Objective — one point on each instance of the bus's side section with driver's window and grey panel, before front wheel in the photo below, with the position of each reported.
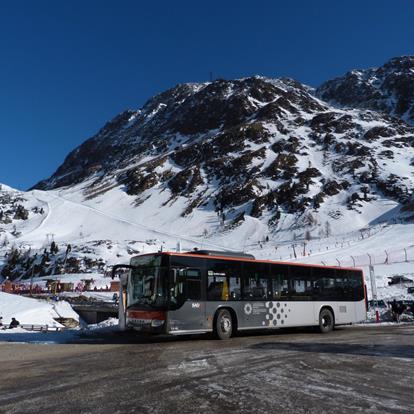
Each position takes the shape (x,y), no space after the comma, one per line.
(187,310)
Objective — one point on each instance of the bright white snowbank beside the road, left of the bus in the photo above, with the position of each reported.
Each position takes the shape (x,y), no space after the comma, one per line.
(30,311)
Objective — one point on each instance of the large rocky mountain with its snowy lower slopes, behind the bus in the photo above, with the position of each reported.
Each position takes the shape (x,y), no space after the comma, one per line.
(252,164)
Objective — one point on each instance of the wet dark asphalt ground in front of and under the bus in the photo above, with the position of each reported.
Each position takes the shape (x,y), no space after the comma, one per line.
(353,369)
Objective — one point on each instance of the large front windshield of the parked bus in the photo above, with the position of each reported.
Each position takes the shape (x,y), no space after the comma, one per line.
(147,282)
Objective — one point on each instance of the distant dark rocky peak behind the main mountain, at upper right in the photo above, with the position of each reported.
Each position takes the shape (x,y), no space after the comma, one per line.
(389,88)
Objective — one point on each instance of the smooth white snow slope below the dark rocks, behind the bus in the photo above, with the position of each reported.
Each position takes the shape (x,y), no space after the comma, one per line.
(112,222)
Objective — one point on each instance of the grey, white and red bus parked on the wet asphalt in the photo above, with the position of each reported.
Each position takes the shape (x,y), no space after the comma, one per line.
(220,292)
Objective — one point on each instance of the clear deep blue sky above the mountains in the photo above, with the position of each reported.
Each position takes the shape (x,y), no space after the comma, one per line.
(67,67)
